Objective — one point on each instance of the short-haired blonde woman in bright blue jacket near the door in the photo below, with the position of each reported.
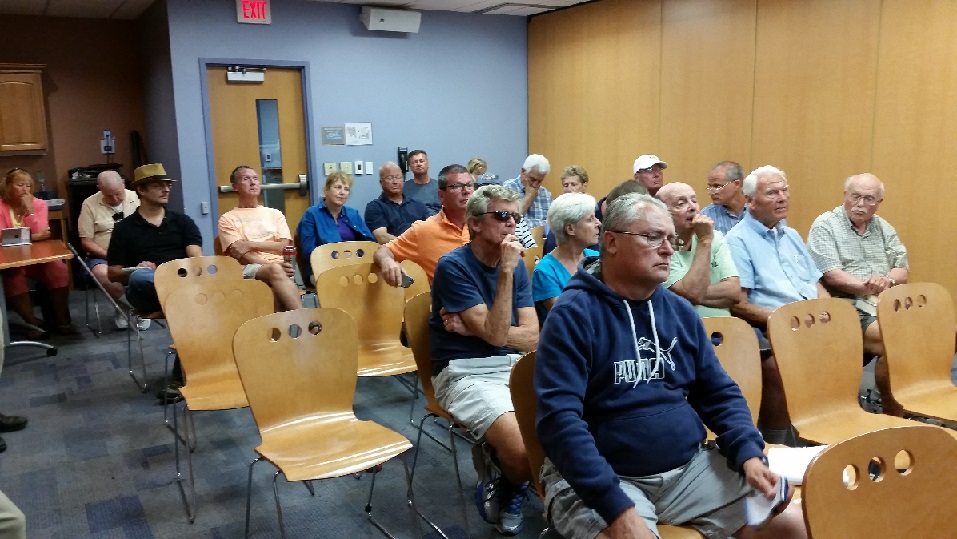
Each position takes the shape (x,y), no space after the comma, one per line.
(330,221)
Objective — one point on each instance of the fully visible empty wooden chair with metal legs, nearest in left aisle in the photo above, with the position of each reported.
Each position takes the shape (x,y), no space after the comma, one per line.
(299,372)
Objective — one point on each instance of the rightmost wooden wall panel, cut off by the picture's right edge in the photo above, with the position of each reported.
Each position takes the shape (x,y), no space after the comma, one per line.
(916,132)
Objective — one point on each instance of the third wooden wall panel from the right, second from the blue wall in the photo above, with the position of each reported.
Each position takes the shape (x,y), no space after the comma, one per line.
(707,76)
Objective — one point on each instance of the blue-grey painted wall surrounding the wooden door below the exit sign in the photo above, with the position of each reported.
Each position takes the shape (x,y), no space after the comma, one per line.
(457,89)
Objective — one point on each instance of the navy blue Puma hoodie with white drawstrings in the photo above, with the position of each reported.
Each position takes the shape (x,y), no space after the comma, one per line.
(607,407)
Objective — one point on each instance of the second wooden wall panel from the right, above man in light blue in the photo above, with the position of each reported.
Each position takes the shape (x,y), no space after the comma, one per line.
(814,87)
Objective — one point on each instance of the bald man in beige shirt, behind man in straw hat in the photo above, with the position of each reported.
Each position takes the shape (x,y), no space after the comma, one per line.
(98,215)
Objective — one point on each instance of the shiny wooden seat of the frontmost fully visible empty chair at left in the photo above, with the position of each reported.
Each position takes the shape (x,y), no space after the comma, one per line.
(348,446)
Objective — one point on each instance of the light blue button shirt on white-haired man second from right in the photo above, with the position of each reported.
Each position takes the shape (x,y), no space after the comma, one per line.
(773,264)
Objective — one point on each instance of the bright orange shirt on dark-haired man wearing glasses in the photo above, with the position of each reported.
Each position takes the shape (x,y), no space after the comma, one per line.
(426,241)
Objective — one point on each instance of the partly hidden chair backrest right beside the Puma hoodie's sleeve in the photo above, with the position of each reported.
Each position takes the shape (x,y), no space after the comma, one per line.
(737,349)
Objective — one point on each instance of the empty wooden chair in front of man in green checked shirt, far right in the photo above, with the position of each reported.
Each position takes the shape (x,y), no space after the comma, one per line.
(917,327)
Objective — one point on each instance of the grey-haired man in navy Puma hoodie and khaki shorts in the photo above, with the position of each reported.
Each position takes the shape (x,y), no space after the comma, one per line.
(623,425)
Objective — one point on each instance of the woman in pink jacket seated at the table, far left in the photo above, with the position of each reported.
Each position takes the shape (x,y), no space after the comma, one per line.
(18,208)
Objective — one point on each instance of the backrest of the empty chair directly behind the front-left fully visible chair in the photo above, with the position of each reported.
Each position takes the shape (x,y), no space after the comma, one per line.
(203,317)
